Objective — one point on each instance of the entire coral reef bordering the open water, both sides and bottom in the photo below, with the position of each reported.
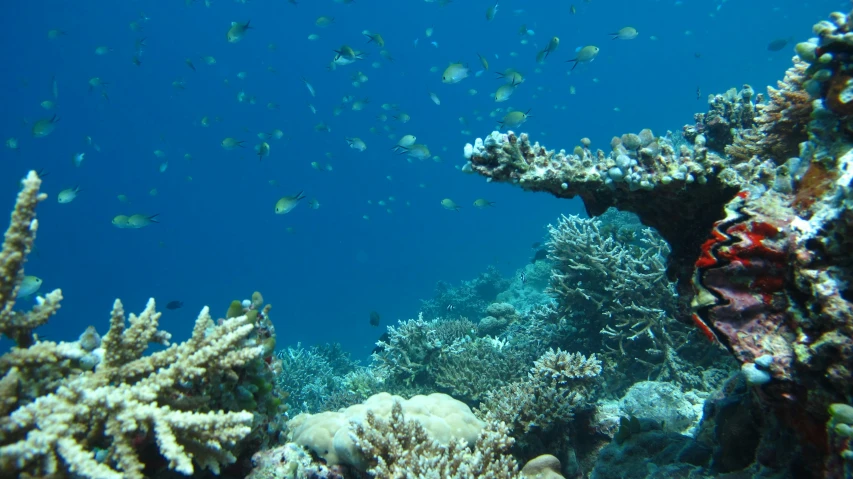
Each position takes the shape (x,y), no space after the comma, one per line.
(705,328)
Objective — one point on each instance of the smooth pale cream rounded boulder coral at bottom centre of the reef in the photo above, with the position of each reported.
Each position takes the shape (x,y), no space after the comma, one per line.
(328,433)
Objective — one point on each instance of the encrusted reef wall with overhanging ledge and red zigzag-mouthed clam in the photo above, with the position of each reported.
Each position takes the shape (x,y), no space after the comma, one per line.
(763,196)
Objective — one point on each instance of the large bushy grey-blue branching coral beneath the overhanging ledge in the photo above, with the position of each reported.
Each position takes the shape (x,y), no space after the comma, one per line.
(619,289)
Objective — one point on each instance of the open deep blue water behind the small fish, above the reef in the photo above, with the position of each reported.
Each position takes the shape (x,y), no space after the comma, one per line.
(218,238)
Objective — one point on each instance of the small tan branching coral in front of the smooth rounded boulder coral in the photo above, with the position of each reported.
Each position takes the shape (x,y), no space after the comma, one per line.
(401,447)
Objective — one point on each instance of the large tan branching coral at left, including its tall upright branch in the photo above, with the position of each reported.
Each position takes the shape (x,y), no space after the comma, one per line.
(91,423)
